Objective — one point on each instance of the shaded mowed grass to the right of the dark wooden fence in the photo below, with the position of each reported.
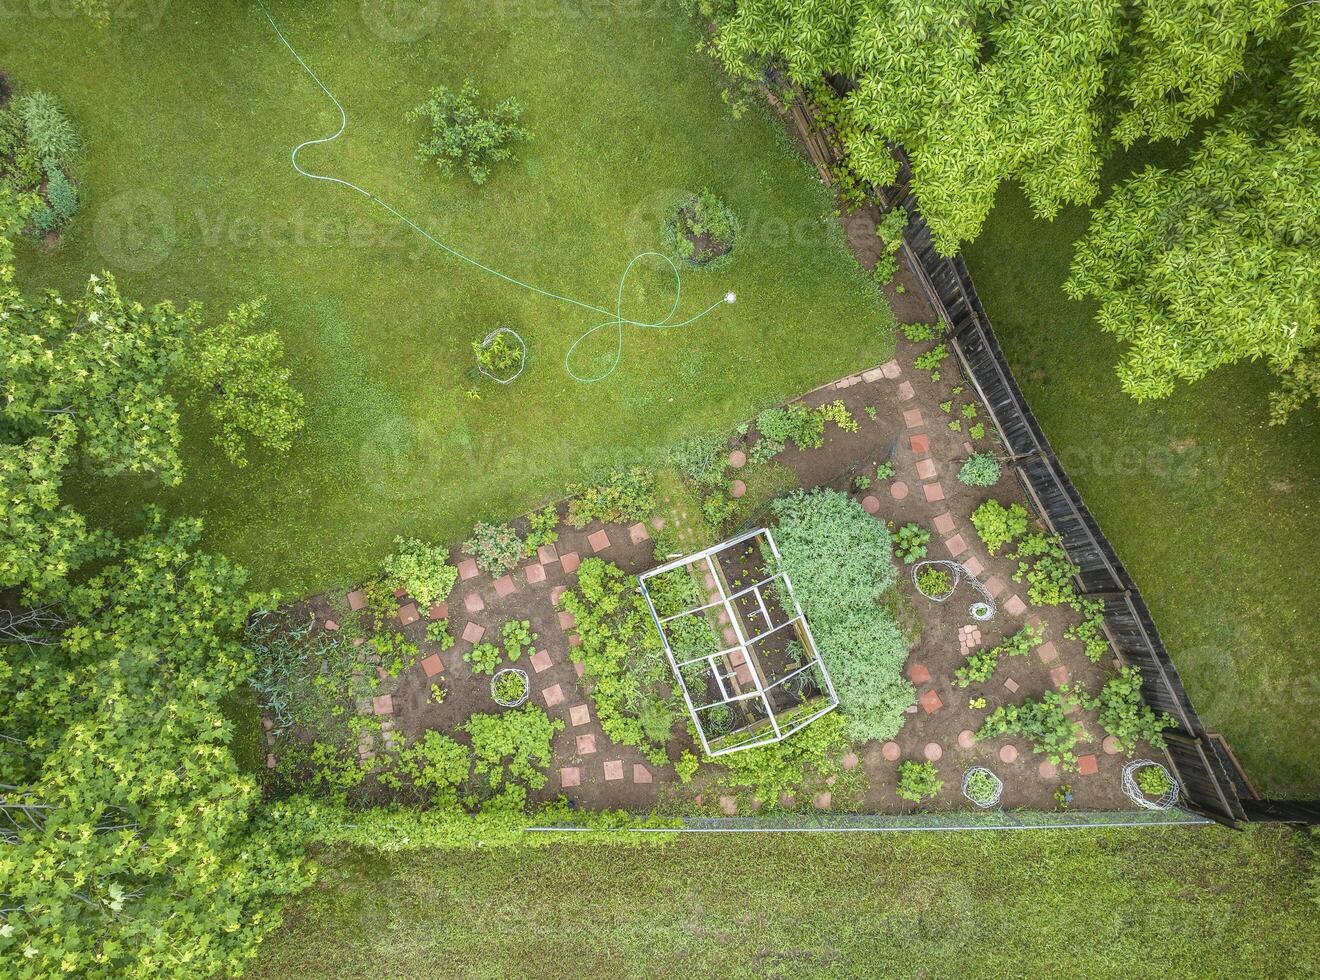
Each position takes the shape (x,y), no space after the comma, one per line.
(1214,512)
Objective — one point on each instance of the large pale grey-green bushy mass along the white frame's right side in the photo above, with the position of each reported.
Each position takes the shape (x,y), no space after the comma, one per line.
(840,561)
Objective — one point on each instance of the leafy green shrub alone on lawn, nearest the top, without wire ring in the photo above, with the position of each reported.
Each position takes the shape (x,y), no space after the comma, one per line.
(463,134)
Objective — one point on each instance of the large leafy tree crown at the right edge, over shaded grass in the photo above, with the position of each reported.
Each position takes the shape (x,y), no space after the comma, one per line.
(1219,261)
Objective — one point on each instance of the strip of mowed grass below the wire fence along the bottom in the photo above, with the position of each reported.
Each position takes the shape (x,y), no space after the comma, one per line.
(1087,904)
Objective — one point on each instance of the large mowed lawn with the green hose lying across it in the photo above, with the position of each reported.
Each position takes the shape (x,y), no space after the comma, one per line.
(189,125)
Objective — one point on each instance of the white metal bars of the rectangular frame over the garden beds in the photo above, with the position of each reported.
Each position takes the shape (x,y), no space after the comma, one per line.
(757,689)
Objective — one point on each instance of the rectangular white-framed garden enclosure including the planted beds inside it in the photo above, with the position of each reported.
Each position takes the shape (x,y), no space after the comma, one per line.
(740,644)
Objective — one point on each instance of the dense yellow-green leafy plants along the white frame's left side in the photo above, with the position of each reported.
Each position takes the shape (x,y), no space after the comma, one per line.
(621,653)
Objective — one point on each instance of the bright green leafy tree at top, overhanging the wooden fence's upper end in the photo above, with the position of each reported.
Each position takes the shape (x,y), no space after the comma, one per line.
(980,92)
